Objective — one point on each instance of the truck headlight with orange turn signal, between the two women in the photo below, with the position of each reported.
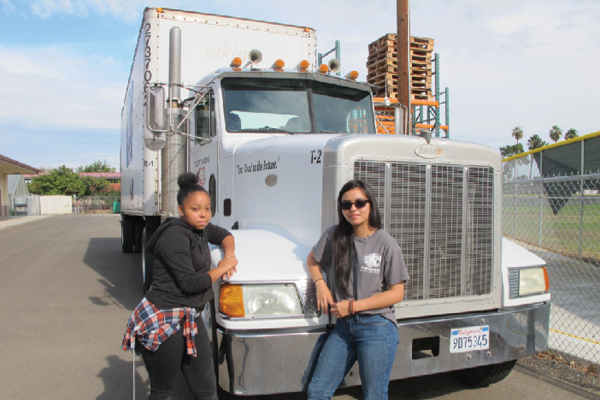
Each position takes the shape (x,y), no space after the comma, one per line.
(256,301)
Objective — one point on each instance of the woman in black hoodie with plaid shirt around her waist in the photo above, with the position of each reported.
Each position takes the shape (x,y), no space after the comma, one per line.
(164,326)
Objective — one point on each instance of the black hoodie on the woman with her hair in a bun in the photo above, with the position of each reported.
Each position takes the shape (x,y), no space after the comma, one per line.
(181,264)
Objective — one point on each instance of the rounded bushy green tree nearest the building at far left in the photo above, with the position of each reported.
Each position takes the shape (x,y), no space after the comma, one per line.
(60,181)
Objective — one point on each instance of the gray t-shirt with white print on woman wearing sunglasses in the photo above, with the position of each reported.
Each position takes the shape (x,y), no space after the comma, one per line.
(378,265)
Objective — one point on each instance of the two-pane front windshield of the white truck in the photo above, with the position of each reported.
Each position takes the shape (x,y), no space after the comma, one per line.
(295,106)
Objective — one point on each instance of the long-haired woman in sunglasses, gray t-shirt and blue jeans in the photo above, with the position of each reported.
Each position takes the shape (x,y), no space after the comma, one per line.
(367,272)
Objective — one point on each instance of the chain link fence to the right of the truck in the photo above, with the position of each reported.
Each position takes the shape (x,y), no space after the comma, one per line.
(551,206)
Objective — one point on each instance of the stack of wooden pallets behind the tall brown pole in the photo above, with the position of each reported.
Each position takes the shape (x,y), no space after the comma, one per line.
(382,65)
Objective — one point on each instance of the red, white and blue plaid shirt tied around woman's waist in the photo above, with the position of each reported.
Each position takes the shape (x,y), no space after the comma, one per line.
(152,326)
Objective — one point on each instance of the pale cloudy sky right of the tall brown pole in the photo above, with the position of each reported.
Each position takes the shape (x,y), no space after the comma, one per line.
(529,64)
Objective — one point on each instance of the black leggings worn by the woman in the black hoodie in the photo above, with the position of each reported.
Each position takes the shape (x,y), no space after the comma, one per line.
(163,366)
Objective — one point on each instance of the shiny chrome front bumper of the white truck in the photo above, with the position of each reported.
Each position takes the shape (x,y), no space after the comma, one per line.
(267,362)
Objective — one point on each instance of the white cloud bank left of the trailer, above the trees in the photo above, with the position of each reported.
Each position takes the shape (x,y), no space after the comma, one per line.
(56,87)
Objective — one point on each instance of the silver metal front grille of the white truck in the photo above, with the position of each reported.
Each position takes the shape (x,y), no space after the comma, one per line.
(442,218)
